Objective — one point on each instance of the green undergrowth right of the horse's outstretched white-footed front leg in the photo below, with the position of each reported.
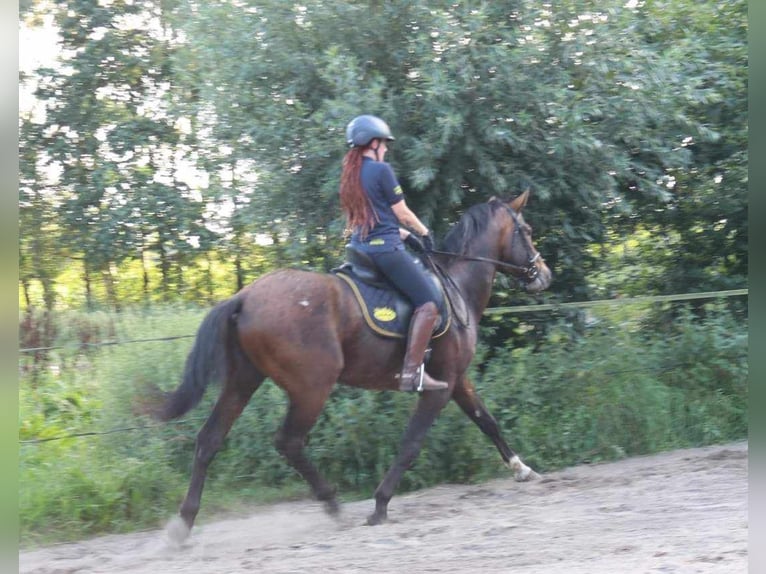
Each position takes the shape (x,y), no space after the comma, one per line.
(620,390)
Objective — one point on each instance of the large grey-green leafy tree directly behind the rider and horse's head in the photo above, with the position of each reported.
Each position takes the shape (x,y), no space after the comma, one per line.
(568,100)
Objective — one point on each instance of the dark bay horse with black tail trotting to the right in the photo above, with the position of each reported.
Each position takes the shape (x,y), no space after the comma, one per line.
(305,331)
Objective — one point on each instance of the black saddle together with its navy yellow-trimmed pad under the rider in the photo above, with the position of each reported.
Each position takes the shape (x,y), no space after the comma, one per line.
(386,310)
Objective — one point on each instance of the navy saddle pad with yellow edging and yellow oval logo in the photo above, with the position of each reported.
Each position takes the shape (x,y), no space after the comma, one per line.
(386,311)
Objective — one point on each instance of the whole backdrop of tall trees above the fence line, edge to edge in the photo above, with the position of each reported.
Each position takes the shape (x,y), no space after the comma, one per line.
(164,151)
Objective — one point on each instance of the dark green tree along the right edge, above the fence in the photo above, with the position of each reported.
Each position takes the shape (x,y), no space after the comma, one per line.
(706,221)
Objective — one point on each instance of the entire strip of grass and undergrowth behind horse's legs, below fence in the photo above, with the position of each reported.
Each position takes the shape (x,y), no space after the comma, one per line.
(617,389)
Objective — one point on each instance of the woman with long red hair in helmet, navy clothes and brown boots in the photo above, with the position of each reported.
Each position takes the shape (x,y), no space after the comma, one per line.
(373,203)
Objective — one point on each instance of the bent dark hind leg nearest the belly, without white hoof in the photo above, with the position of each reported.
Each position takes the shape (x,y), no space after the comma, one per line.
(305,407)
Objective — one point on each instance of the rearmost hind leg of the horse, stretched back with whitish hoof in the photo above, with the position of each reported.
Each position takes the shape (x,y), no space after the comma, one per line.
(232,400)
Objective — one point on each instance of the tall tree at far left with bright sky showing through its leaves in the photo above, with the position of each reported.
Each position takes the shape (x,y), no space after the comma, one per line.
(108,130)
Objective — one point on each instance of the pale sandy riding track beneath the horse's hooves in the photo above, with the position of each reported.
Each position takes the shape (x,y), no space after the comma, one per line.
(677,512)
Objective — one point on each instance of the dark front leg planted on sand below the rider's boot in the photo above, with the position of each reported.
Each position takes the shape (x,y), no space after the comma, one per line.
(429,406)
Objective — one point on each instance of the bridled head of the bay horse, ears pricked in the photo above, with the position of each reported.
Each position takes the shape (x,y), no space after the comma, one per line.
(517,250)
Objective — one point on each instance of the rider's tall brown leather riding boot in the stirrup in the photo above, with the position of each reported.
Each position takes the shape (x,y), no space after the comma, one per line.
(413,376)
